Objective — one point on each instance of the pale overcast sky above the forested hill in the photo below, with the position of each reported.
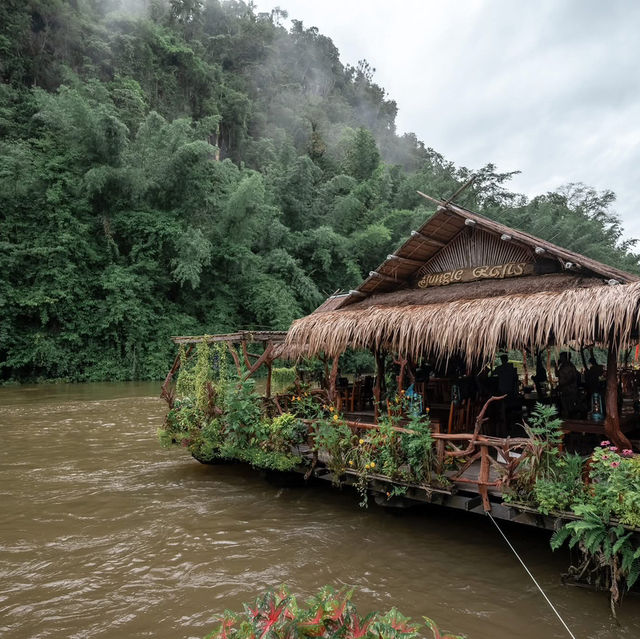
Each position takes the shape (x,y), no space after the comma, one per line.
(547,87)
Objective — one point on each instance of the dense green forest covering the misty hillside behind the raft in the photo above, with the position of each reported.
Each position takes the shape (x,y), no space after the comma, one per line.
(196,166)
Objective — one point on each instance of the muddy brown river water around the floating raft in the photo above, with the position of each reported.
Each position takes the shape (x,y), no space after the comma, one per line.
(105,534)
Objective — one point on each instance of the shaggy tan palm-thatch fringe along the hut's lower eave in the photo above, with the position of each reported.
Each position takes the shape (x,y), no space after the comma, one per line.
(475,327)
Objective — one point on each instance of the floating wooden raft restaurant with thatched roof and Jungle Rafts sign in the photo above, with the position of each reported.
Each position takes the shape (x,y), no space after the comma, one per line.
(461,290)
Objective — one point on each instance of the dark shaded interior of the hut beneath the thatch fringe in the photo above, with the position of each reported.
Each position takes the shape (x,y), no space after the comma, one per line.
(453,392)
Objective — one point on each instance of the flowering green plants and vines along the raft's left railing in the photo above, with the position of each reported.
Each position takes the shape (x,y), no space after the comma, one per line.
(217,415)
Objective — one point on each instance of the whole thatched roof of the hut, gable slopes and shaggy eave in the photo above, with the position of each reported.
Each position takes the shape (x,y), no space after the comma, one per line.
(583,302)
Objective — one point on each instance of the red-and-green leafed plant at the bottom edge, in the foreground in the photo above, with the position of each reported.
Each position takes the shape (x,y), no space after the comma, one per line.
(328,615)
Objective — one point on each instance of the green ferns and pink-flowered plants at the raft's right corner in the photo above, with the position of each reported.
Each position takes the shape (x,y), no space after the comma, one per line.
(598,498)
